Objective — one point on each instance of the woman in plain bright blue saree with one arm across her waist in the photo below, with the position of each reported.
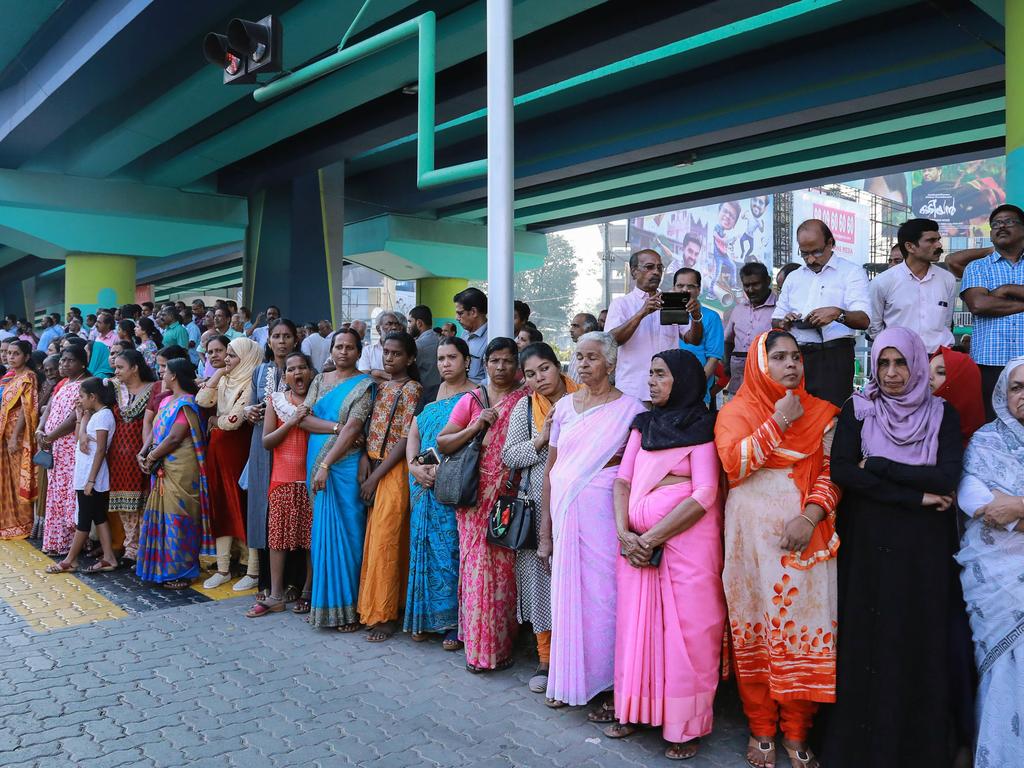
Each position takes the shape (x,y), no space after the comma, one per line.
(340,403)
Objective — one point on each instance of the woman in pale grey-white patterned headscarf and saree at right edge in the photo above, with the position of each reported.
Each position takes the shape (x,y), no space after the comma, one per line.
(992,492)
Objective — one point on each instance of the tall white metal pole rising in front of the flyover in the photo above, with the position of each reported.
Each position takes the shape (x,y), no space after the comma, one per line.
(500,168)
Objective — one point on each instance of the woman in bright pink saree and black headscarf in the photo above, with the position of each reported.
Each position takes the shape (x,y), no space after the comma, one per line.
(671,607)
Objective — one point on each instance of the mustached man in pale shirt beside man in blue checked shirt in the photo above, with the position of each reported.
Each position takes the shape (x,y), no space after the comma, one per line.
(916,293)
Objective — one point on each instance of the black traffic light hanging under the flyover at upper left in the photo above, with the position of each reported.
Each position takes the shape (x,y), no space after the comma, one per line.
(249,50)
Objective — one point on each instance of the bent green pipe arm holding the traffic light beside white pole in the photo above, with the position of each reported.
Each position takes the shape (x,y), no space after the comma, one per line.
(425,28)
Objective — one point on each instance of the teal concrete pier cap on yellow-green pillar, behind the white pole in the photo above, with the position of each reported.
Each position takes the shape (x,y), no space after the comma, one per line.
(411,248)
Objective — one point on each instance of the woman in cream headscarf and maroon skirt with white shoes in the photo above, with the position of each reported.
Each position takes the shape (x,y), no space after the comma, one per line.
(230,391)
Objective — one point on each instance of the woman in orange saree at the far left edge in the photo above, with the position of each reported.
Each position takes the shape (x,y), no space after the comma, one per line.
(19,416)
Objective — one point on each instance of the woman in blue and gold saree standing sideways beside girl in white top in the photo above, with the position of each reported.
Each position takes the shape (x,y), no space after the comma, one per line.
(176,526)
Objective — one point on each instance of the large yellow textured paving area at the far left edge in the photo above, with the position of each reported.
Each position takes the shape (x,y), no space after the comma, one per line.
(49,603)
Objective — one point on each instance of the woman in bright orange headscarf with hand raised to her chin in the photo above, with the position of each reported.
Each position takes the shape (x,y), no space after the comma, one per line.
(774,440)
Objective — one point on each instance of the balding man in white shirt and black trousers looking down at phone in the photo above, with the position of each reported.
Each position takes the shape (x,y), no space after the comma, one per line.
(824,304)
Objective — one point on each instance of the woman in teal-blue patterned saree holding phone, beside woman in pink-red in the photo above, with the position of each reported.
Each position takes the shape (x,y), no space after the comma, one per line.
(433,599)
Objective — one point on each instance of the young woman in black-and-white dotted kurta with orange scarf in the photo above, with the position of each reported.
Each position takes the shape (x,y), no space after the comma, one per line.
(527,452)
